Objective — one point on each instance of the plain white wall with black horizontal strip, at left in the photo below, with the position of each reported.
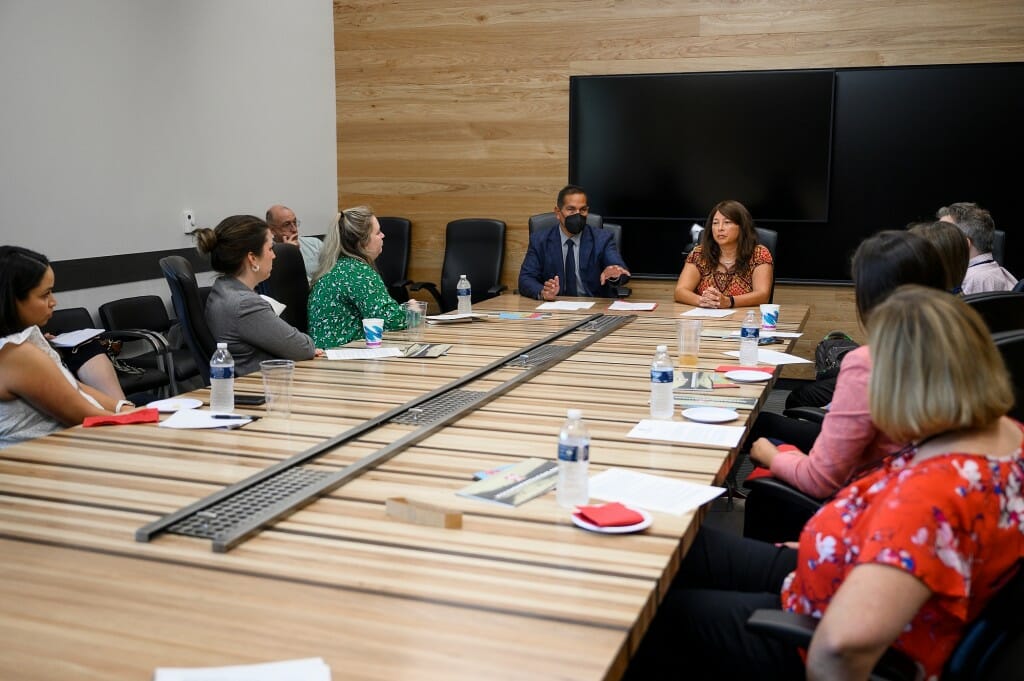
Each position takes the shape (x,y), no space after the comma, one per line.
(118,115)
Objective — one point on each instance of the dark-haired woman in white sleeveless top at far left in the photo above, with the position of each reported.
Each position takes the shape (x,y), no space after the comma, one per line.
(38,396)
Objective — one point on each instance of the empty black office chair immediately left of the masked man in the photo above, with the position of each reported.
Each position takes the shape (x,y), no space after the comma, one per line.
(475,247)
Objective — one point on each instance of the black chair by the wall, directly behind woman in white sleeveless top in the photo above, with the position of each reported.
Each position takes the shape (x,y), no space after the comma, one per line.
(134,378)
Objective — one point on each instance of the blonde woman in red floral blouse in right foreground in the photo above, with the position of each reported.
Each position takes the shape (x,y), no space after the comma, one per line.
(906,556)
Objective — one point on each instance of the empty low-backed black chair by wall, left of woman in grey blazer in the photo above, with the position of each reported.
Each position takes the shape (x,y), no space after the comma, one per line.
(149,314)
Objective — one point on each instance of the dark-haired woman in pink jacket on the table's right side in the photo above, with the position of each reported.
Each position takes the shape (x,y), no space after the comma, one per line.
(849,440)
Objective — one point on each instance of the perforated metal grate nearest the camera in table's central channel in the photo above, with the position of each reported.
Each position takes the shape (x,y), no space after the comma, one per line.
(223,518)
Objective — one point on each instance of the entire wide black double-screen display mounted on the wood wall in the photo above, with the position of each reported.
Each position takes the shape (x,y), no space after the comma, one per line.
(825,157)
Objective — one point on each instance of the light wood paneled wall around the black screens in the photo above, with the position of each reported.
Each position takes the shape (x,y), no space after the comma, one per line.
(460,109)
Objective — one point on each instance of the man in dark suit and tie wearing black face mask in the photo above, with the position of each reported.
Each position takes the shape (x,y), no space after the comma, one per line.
(590,256)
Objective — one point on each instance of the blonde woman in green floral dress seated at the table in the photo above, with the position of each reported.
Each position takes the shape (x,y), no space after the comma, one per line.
(347,286)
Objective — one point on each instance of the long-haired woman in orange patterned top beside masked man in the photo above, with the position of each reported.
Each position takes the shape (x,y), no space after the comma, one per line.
(729,269)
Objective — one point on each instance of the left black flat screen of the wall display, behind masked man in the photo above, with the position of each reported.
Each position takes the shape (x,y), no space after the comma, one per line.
(669,147)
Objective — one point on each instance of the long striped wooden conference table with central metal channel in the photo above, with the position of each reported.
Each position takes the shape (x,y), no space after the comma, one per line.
(516,593)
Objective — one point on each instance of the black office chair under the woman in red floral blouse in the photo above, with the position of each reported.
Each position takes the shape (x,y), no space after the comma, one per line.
(993,647)
